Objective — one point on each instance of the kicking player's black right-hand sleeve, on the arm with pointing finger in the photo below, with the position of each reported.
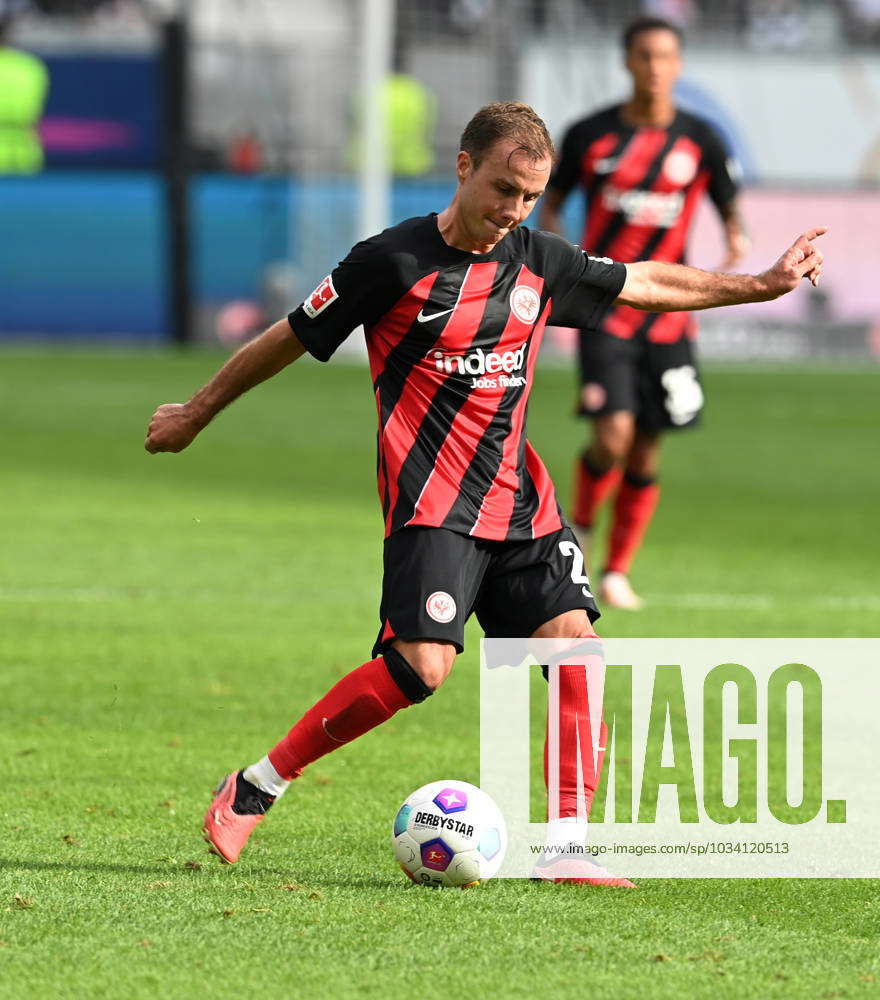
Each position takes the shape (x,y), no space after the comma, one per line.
(582,287)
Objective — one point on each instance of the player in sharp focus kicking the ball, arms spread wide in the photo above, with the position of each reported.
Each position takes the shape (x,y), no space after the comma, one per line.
(454,307)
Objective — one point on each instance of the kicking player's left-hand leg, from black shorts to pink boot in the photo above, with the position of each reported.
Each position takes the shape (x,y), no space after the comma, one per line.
(428,590)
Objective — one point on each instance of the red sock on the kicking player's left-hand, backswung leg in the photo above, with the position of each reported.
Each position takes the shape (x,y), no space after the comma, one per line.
(362,700)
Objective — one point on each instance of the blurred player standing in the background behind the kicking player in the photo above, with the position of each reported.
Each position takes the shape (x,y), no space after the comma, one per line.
(644,167)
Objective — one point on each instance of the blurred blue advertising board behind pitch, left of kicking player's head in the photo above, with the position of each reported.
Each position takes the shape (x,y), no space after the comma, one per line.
(82,253)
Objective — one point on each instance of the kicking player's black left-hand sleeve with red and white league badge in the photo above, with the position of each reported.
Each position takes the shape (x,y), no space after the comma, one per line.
(357,292)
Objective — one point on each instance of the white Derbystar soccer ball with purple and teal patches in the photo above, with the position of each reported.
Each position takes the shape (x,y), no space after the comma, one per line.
(449,833)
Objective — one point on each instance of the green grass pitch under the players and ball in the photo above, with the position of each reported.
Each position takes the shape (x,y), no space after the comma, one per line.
(165,618)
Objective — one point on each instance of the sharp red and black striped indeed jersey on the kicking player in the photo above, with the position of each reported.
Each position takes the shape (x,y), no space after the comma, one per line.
(452,339)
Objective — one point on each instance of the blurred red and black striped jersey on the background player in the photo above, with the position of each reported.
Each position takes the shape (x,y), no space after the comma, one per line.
(642,187)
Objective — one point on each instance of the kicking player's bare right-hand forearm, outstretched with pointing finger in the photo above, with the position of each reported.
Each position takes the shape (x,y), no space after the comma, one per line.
(658,287)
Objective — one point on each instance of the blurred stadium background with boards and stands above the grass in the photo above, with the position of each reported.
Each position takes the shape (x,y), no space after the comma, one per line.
(207,162)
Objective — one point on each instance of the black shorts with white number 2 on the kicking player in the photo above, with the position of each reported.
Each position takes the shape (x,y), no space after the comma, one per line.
(435,579)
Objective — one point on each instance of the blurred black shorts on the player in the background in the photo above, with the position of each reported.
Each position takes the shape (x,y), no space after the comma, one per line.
(659,383)
